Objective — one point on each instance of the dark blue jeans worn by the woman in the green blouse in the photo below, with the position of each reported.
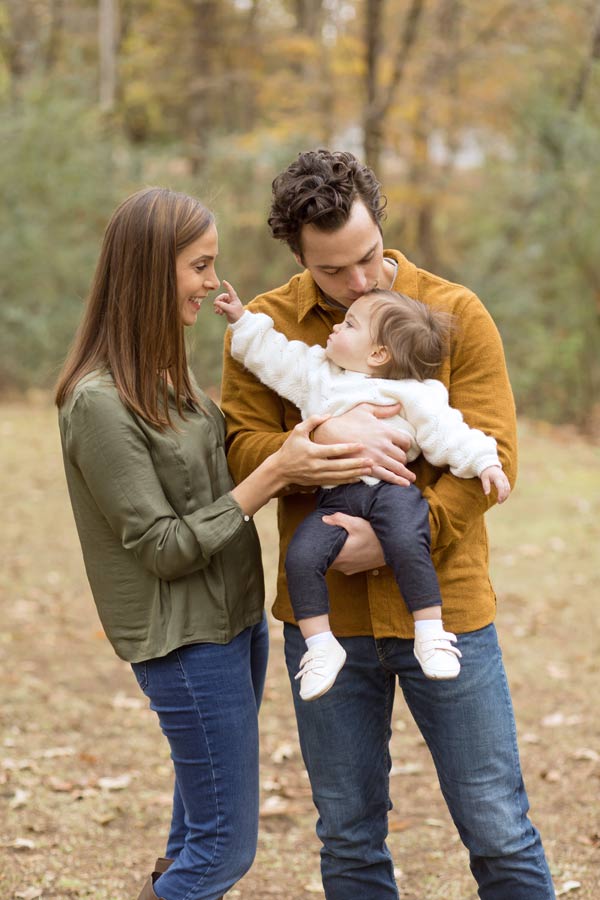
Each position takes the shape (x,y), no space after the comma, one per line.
(206,697)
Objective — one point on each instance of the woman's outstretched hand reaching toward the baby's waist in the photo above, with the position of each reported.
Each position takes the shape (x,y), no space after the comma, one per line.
(305,462)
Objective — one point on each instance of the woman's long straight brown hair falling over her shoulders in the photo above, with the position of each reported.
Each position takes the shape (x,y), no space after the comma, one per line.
(132,323)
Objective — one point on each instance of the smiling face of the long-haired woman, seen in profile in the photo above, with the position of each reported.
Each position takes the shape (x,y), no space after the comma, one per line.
(196,274)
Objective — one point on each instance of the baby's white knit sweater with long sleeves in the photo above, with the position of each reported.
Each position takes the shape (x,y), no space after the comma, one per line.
(317,386)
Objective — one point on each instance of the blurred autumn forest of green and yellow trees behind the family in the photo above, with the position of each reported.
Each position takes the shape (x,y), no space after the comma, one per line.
(480,117)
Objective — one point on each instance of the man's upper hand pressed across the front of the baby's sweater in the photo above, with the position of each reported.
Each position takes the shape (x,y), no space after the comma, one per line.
(380,441)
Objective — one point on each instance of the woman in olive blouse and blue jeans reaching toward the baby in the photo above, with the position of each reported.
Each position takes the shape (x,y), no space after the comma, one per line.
(169,546)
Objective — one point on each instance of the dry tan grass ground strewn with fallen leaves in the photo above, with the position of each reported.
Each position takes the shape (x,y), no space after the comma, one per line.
(85,777)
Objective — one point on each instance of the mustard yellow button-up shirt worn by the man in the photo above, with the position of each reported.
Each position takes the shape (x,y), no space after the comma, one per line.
(476,377)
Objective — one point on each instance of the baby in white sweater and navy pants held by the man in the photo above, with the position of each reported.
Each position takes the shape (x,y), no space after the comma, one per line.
(383,352)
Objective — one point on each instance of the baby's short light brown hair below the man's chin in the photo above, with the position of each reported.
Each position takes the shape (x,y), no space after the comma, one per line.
(416,336)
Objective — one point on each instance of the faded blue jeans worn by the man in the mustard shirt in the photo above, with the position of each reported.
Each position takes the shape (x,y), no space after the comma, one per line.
(469,727)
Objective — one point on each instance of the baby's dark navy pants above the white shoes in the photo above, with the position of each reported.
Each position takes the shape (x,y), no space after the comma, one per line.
(399,516)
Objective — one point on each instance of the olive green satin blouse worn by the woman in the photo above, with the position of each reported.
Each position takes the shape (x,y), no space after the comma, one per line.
(170,556)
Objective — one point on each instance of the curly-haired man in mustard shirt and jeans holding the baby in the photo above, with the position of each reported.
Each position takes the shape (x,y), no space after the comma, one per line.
(328,208)
